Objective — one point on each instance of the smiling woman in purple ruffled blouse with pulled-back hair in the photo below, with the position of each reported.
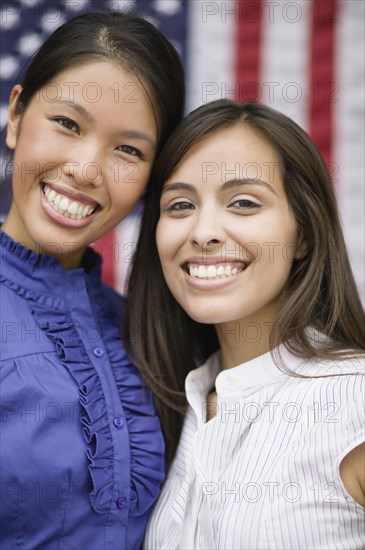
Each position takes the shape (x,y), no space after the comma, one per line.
(82,454)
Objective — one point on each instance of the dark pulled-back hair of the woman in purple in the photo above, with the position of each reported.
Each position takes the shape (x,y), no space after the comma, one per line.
(129,41)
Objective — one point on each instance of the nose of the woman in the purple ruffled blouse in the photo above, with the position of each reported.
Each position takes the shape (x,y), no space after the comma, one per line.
(84,168)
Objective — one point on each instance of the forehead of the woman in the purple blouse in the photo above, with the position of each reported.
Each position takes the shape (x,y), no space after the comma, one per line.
(103,93)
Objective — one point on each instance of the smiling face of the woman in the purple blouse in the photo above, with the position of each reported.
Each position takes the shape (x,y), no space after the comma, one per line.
(83,152)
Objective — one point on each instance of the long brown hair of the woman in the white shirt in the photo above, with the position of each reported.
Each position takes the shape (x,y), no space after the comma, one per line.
(321,293)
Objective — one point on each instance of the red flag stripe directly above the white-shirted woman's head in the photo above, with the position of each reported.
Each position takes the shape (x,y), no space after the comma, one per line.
(248,40)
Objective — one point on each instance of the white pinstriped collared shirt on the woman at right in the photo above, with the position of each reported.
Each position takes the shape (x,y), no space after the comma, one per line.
(264,472)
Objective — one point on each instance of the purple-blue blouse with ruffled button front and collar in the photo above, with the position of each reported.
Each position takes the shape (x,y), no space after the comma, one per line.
(81,449)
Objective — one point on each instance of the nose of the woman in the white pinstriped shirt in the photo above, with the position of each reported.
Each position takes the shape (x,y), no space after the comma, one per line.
(207,231)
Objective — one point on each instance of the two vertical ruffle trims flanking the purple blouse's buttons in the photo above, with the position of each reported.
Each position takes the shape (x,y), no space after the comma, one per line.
(145,439)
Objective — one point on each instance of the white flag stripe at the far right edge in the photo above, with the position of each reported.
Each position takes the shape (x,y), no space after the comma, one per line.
(349,137)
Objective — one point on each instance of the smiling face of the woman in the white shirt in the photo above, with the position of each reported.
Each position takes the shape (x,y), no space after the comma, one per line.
(226,235)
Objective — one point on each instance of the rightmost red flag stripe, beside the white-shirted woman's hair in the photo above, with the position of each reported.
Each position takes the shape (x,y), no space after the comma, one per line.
(323,86)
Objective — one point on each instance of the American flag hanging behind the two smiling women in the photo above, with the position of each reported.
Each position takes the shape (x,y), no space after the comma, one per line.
(304,58)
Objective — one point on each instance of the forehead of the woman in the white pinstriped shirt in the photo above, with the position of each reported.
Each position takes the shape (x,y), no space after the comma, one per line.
(229,153)
